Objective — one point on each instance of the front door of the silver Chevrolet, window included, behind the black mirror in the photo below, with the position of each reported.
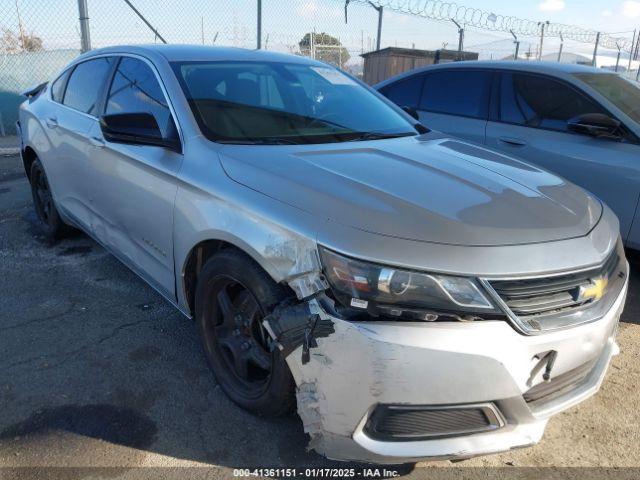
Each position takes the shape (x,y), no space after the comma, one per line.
(134,186)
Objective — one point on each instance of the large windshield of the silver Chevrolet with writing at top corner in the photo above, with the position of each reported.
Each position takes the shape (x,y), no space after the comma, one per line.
(280,103)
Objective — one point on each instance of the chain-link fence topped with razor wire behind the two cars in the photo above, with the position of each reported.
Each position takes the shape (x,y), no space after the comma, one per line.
(38,37)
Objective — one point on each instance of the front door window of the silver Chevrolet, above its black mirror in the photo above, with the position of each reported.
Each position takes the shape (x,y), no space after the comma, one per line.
(135,89)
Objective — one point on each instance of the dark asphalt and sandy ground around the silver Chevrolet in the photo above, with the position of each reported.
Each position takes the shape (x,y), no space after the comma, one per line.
(97,370)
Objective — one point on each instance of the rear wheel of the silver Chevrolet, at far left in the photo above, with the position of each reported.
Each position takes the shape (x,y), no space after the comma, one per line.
(50,221)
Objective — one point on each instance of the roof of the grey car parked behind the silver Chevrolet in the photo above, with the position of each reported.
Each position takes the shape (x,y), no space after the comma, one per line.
(549,68)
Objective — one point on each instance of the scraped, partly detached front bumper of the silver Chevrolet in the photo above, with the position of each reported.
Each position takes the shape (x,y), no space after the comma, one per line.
(445,378)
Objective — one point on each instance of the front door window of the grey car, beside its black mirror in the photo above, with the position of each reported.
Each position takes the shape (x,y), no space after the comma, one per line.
(537,101)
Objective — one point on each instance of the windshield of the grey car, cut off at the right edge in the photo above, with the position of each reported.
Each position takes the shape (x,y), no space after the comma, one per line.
(622,93)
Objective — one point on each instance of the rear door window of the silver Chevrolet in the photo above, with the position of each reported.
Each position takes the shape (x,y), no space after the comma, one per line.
(86,83)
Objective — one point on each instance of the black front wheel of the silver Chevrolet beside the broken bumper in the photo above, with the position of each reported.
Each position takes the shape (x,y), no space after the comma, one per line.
(233,294)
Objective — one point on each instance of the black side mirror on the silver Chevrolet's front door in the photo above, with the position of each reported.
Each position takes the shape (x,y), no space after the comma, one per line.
(136,129)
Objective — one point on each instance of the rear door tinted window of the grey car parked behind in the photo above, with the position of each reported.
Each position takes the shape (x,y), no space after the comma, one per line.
(457,92)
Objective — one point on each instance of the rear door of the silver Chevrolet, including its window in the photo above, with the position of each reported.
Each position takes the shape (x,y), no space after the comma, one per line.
(74,108)
